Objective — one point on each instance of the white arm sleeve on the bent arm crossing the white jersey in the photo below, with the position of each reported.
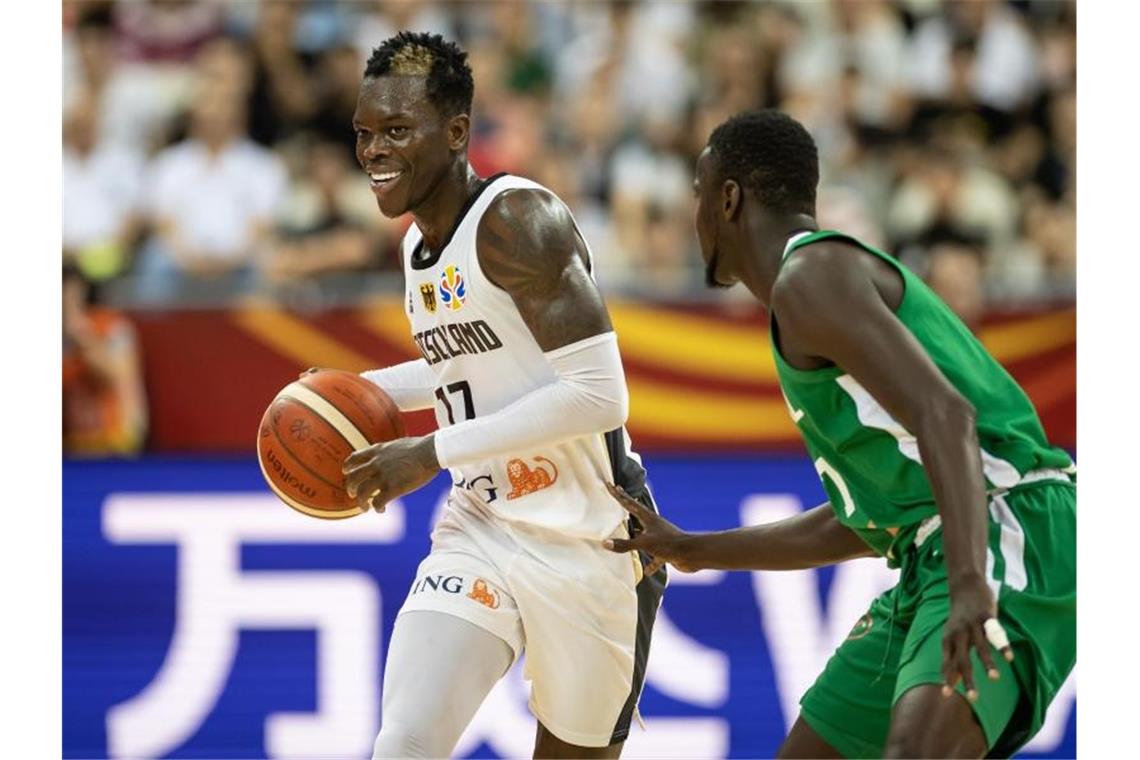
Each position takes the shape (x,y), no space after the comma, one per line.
(589,396)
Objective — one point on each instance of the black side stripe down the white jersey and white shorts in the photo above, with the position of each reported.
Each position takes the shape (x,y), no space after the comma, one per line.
(631,477)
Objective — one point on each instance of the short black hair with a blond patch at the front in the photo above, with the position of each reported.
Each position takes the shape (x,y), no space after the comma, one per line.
(451,86)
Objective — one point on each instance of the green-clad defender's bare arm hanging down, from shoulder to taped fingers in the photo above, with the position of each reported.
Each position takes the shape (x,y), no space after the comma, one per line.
(830,305)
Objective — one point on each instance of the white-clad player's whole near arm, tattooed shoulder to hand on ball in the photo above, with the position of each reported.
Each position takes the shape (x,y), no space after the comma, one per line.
(527,246)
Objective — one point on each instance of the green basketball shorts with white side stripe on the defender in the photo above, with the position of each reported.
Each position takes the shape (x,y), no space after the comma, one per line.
(1031,566)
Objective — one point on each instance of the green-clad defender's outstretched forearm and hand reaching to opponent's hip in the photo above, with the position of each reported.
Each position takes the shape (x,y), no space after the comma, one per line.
(811,540)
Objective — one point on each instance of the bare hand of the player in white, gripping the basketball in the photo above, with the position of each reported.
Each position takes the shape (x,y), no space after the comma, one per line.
(385,472)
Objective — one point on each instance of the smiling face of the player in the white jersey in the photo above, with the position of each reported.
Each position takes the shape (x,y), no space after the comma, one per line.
(404,144)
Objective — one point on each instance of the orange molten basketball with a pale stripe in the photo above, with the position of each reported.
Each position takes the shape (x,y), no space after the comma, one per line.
(312,428)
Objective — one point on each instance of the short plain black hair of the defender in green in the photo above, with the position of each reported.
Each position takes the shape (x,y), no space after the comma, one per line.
(771,154)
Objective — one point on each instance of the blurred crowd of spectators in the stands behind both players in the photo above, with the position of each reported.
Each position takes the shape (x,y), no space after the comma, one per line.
(208,145)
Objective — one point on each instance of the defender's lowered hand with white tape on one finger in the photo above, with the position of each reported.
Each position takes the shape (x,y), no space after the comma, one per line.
(973,625)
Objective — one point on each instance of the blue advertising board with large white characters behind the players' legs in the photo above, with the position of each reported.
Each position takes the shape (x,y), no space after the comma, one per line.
(205,619)
